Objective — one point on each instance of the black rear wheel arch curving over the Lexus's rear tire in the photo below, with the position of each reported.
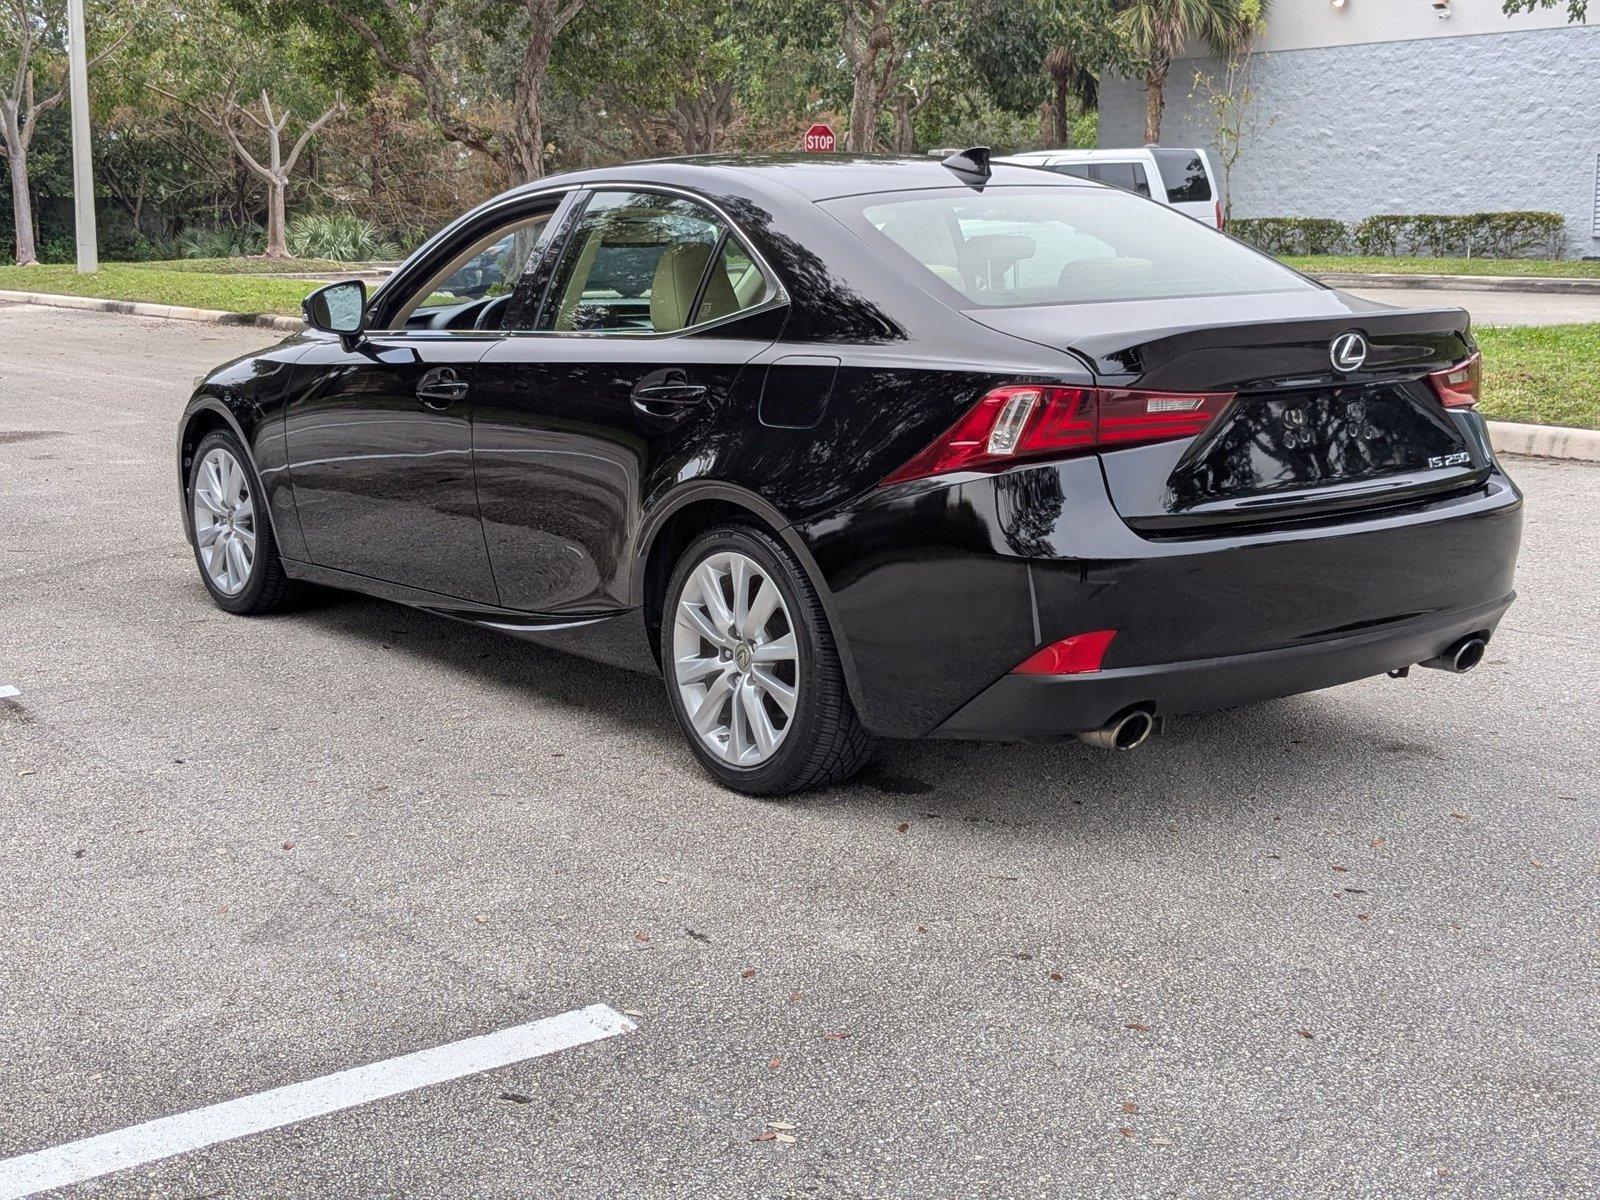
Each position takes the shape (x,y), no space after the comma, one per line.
(690,511)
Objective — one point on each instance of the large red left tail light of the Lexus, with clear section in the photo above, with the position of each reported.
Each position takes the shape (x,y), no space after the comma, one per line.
(1026,422)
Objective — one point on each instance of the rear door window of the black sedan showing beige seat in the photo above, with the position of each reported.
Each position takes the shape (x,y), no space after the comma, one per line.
(647,263)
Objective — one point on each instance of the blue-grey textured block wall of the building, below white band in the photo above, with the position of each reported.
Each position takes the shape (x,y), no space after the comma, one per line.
(1473,124)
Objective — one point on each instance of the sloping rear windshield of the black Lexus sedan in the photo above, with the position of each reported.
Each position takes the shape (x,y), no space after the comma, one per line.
(1014,247)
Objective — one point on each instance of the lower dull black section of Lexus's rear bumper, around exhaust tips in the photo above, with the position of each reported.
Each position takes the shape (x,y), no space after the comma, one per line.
(1041,708)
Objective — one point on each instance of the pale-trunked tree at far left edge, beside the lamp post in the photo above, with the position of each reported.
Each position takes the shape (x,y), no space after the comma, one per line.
(34,36)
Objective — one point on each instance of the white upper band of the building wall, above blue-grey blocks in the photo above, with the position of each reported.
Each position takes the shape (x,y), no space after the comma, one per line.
(1302,25)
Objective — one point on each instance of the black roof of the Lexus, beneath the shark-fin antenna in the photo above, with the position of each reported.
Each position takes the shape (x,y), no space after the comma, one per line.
(815,177)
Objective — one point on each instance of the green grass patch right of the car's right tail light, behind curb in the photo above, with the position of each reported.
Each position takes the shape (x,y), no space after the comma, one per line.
(1546,375)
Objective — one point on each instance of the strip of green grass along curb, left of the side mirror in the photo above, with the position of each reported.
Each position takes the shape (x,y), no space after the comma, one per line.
(158,286)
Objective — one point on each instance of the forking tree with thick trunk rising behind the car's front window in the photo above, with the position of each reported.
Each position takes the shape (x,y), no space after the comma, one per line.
(418,39)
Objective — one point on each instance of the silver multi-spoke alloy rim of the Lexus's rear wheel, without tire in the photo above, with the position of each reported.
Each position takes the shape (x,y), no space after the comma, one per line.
(737,658)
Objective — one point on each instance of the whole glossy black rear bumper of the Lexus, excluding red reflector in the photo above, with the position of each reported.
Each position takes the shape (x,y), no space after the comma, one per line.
(938,590)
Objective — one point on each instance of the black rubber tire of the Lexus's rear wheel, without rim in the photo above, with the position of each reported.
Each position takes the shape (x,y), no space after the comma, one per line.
(825,743)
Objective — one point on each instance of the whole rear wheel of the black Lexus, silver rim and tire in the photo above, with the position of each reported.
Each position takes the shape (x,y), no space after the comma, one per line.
(753,671)
